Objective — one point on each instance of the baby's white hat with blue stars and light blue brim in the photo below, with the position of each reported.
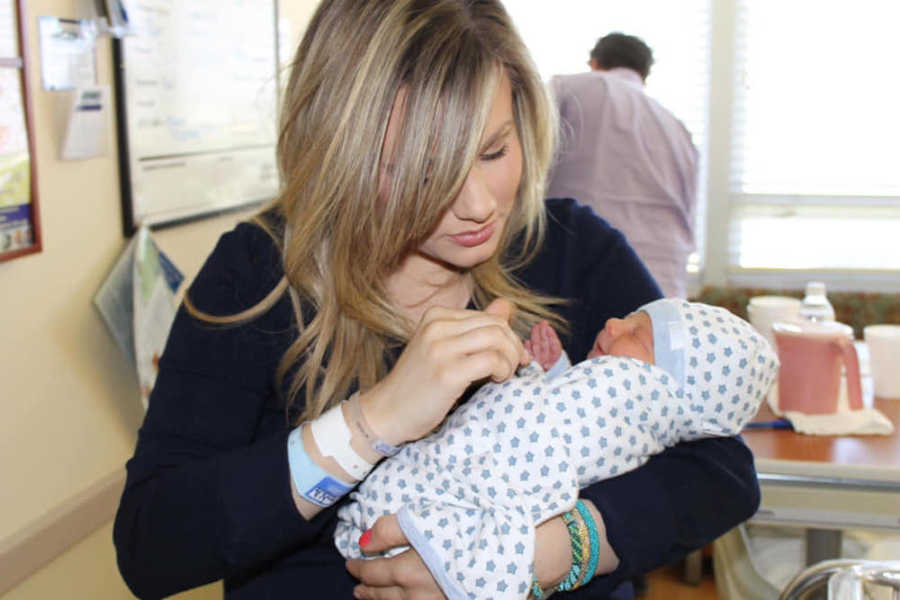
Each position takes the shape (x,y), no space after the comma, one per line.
(713,355)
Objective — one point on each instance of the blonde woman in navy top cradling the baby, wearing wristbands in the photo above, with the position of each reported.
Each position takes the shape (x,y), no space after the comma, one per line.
(408,253)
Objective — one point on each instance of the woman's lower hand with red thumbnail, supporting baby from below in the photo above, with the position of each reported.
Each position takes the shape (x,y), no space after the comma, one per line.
(402,576)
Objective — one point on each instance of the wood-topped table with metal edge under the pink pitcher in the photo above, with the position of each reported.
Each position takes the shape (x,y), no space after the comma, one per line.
(828,483)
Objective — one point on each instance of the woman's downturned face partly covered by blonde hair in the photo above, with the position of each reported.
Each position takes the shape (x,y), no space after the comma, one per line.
(470,230)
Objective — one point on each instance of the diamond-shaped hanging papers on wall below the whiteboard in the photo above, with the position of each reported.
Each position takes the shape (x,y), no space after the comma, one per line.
(138,302)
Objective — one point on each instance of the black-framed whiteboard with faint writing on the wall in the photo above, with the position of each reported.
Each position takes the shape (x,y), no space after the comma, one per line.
(196,92)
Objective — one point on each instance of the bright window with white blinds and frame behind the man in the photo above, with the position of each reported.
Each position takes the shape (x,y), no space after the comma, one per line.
(798,101)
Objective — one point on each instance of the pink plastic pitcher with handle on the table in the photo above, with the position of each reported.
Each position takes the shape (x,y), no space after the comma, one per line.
(811,355)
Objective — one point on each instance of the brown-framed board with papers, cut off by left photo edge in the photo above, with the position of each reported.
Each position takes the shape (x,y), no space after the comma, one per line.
(20,231)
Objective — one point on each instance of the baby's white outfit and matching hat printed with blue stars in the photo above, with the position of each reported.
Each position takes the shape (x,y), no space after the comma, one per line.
(469,496)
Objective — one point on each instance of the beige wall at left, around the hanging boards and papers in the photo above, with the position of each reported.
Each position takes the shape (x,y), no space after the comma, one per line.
(70,405)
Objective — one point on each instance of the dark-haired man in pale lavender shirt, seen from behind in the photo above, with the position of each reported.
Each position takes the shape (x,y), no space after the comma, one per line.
(630,159)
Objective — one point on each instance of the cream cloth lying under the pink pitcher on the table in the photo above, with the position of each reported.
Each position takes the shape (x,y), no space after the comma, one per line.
(866,421)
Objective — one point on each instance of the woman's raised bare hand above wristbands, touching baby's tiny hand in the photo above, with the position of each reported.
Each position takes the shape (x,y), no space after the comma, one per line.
(449,350)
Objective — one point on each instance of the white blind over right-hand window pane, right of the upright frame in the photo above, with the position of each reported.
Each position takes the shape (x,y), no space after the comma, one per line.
(815,142)
